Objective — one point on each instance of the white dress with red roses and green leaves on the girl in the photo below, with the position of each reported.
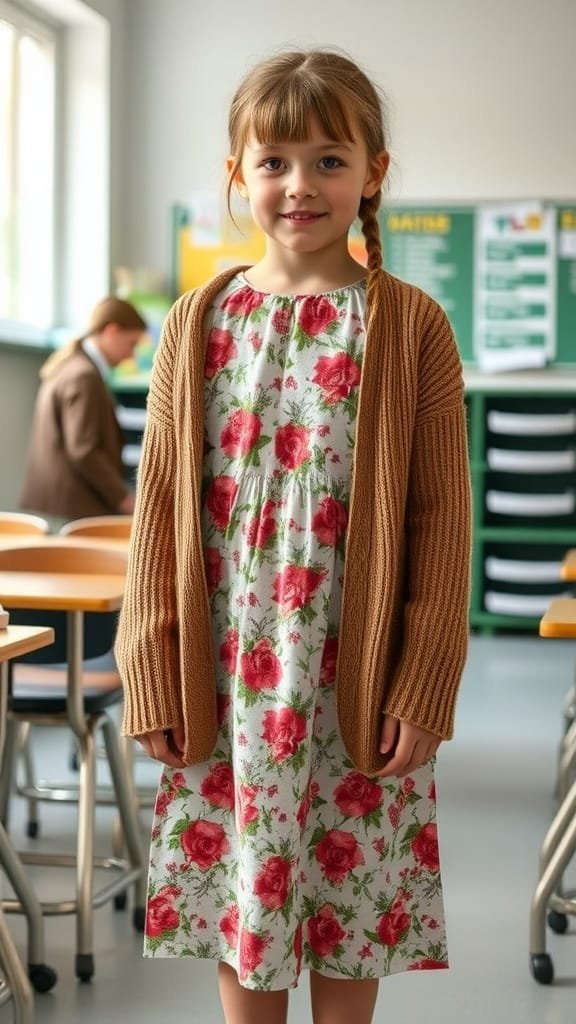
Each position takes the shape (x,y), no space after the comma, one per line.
(277,856)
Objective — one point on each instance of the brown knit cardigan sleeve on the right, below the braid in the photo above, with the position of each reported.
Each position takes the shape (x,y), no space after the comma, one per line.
(438,542)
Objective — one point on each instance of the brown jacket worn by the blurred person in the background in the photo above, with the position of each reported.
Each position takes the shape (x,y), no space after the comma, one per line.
(74,465)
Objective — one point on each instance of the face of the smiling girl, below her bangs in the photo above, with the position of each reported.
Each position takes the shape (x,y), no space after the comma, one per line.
(305,196)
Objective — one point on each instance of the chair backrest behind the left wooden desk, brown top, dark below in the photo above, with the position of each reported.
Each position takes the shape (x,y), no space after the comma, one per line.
(100,628)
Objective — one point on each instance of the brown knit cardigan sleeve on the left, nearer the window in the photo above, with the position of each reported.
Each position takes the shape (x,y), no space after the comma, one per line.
(147,646)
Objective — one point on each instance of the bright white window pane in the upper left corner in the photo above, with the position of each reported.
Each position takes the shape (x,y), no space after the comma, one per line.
(27,168)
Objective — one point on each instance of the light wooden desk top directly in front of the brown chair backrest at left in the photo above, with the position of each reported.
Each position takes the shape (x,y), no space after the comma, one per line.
(62,591)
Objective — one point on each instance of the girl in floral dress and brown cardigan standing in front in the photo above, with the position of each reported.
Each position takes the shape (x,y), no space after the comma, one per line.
(295,627)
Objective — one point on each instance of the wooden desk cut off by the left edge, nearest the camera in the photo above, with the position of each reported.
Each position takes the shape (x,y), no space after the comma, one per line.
(17,641)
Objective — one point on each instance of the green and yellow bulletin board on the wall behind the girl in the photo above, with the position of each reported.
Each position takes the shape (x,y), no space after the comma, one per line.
(505,273)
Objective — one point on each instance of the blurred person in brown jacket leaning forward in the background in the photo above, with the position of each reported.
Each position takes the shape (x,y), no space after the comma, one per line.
(74,465)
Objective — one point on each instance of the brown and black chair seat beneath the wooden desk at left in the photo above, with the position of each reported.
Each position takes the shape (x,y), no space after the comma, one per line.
(43,690)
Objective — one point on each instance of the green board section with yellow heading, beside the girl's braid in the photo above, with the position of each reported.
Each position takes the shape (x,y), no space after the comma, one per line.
(434,248)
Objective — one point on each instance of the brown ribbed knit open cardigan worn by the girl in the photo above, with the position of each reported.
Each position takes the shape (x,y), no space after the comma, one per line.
(405,602)
